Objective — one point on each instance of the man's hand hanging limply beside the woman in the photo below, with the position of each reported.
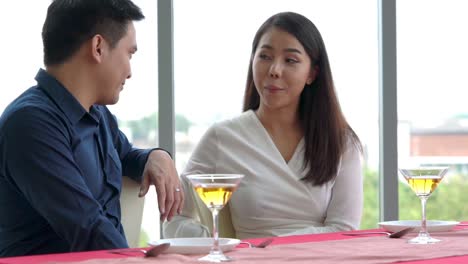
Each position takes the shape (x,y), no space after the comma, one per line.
(161,172)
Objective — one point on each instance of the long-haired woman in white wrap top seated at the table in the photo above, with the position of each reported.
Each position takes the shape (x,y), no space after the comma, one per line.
(300,158)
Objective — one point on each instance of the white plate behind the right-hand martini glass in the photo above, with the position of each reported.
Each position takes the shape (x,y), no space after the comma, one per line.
(432,225)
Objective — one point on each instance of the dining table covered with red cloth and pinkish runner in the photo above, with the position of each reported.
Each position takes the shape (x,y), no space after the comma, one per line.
(337,247)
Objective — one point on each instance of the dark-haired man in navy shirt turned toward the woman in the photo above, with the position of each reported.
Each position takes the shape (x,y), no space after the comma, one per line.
(62,155)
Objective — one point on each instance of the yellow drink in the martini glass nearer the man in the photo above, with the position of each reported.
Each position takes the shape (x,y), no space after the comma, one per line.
(215,195)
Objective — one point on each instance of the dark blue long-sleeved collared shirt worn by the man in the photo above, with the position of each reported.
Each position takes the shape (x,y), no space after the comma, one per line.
(60,173)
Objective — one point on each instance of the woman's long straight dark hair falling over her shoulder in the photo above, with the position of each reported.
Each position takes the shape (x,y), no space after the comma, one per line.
(326,131)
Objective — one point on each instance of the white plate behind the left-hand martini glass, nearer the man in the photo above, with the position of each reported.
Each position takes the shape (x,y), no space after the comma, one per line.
(195,245)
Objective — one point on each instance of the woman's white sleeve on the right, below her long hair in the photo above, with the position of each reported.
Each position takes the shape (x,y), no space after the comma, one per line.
(345,208)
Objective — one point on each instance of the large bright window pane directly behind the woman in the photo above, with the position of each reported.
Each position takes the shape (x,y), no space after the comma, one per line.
(212,51)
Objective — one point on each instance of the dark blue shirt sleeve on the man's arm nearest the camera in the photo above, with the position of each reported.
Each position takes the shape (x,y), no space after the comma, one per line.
(42,167)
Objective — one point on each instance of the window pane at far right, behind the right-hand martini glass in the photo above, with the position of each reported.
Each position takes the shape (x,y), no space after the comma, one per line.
(432,111)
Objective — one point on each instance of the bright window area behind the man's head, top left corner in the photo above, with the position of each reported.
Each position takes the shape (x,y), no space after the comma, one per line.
(21,46)
